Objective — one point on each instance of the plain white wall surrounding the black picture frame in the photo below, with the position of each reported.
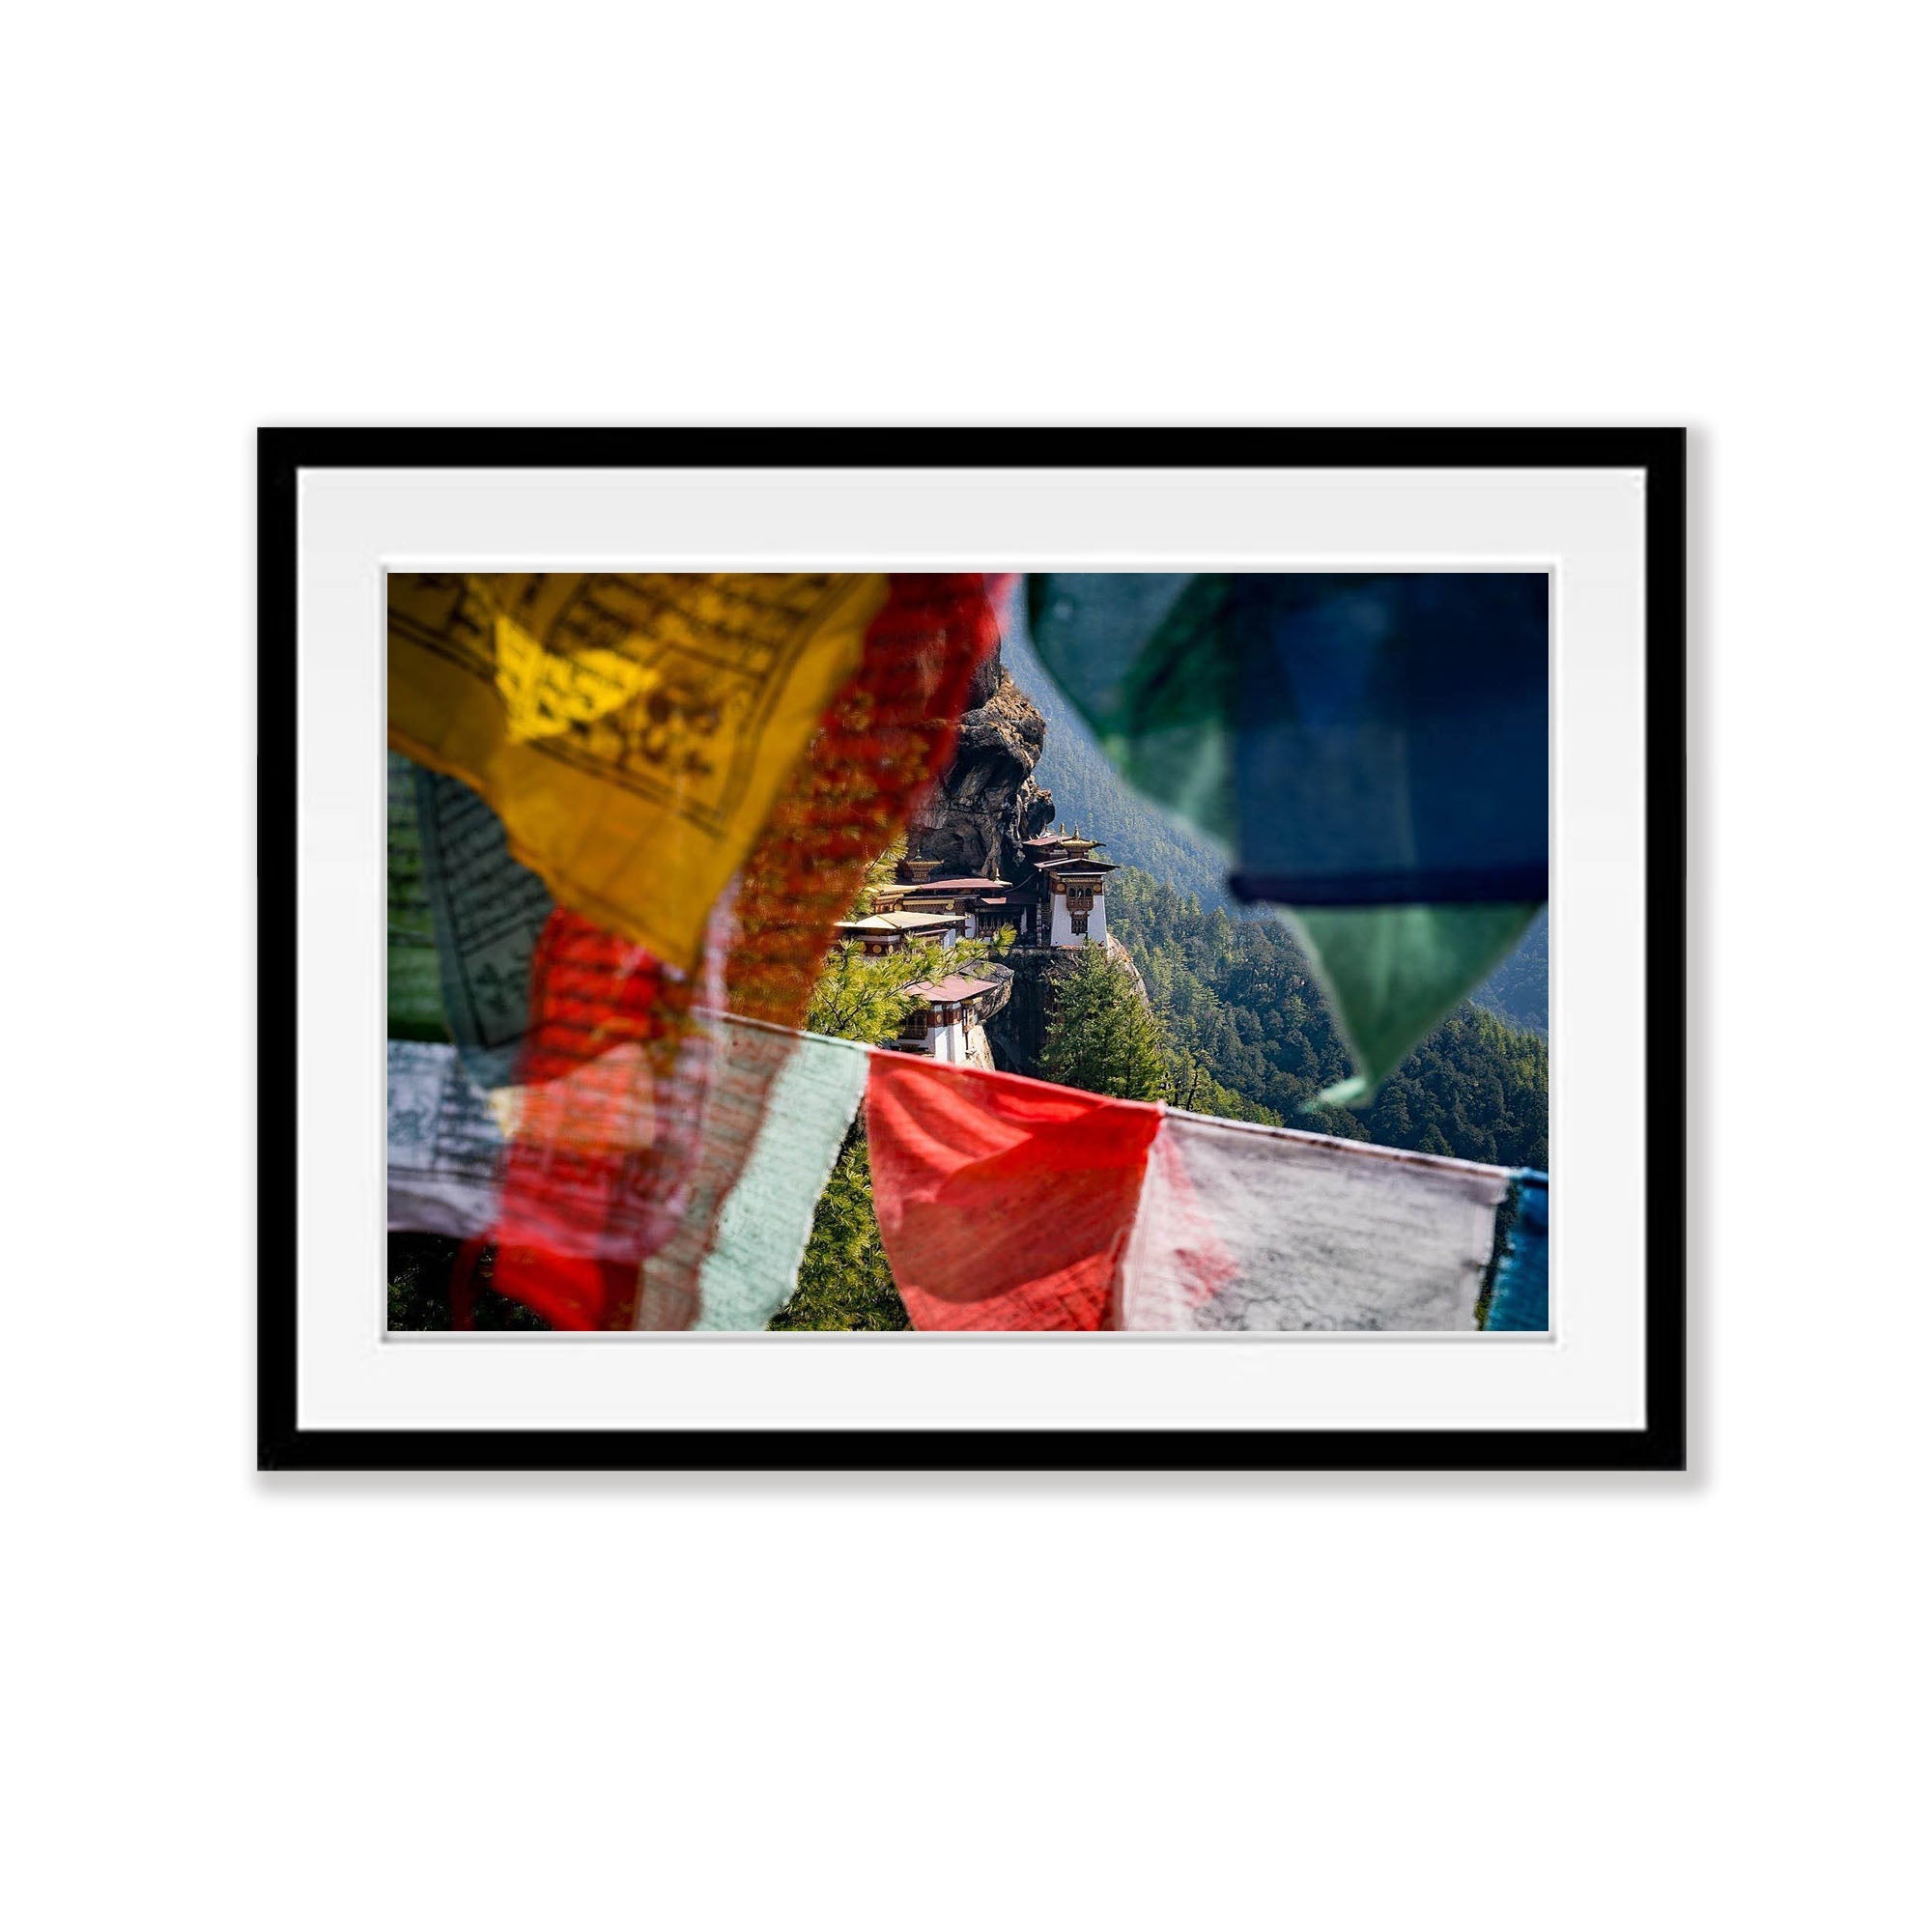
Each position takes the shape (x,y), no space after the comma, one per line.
(967,1703)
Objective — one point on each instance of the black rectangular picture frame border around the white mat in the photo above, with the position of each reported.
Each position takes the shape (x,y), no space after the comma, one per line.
(1659,1446)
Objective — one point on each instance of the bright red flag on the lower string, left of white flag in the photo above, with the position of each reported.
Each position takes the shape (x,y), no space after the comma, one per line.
(1004,1203)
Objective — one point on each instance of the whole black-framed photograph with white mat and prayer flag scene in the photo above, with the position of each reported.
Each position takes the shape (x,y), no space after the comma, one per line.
(973,950)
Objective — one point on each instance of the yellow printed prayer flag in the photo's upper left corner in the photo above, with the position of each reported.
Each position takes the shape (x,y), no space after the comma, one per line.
(631,731)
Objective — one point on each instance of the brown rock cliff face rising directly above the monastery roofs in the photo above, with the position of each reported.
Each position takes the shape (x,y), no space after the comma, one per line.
(988,803)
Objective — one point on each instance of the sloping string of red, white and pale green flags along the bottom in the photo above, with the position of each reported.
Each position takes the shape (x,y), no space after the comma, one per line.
(1004,1205)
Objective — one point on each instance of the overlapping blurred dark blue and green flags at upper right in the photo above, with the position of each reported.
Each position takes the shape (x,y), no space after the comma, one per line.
(1369,751)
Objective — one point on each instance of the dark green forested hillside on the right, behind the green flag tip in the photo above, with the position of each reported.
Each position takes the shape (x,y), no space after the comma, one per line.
(1237,1002)
